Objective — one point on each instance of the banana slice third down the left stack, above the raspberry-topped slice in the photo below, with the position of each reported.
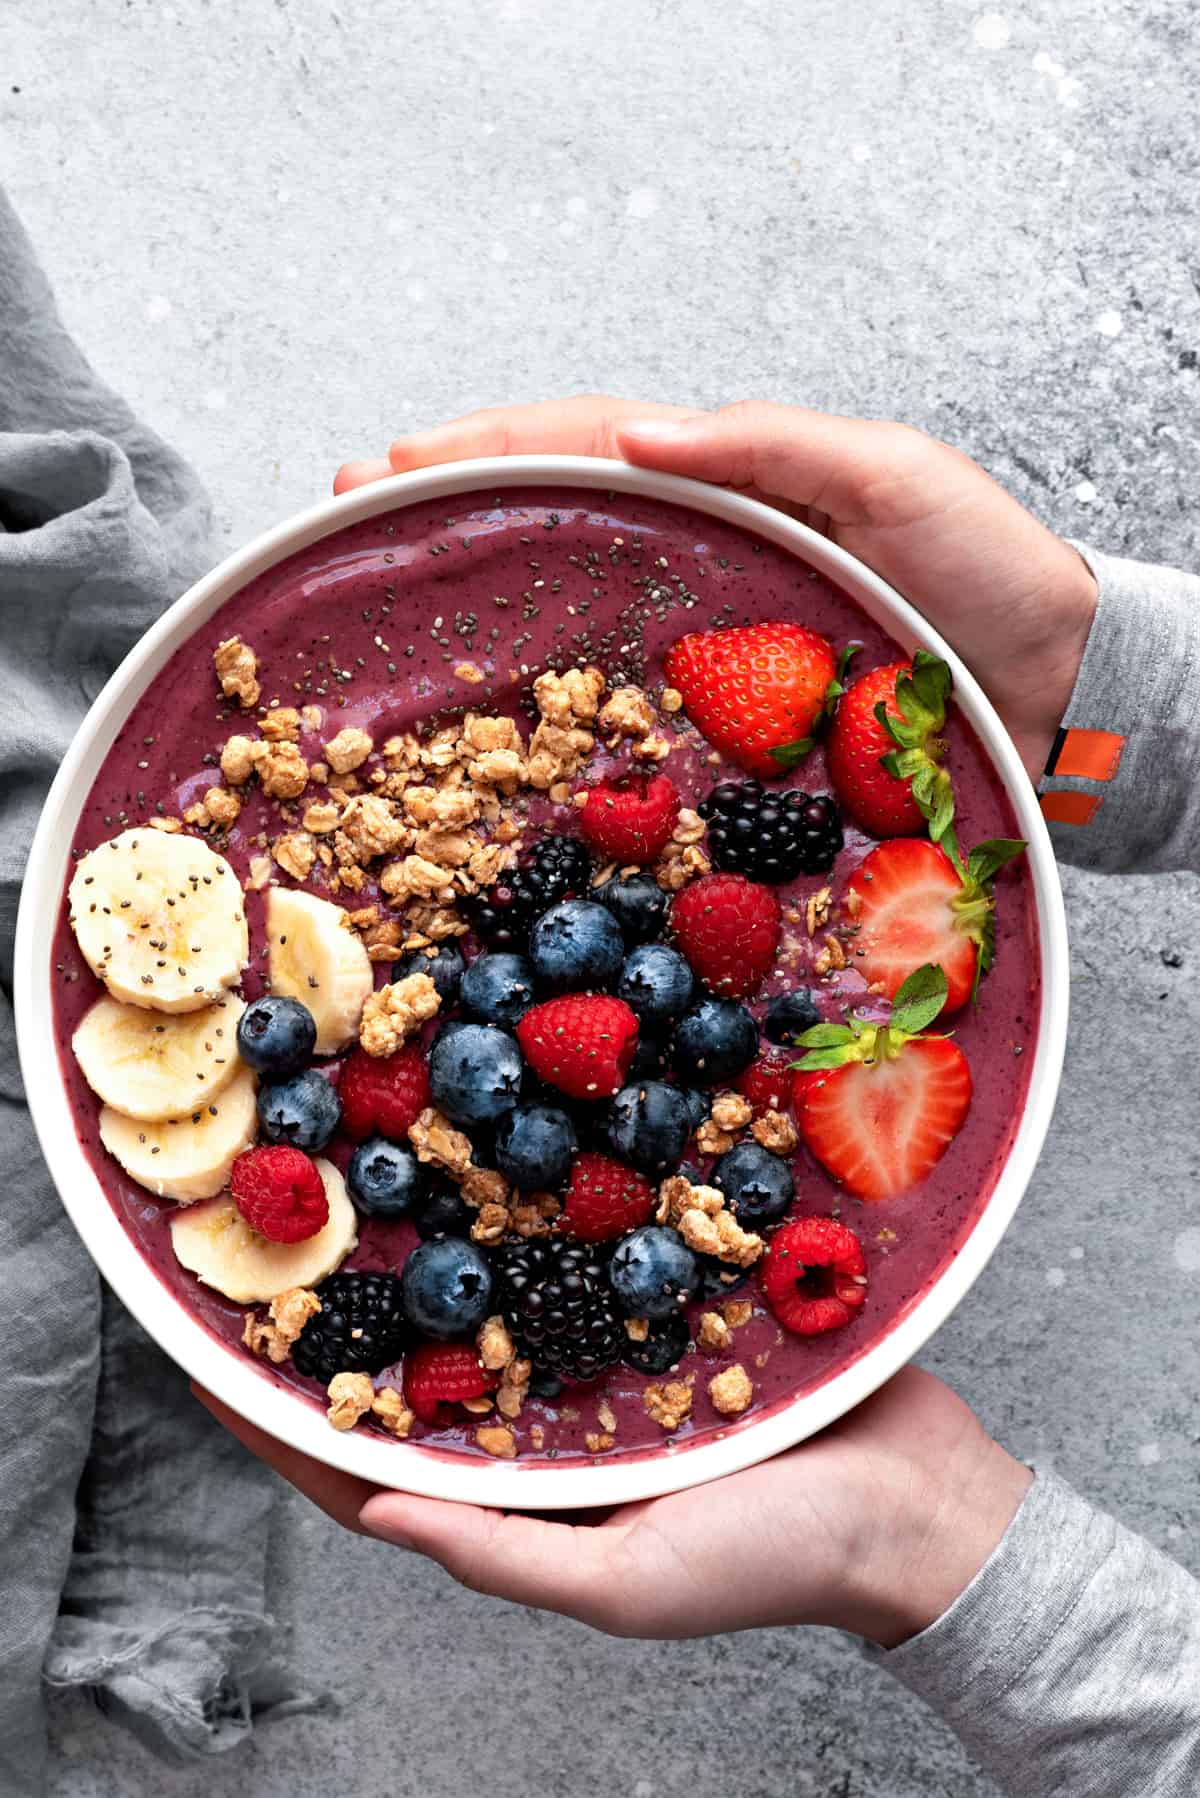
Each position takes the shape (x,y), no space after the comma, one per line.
(188,1157)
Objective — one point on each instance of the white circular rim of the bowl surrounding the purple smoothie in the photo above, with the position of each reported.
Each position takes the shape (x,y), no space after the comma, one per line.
(231,1375)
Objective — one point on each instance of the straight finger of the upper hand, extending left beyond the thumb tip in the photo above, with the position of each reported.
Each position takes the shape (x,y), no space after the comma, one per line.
(584,425)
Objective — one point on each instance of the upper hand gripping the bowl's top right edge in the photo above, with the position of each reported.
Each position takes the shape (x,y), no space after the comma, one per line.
(1014,600)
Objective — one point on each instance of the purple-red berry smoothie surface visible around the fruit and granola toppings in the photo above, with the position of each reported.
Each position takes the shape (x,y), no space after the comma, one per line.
(456,605)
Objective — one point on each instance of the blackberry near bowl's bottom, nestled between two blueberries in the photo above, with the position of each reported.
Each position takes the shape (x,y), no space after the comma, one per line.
(559,1306)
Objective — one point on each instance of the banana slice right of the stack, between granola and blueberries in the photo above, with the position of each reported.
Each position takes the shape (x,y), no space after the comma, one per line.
(318,961)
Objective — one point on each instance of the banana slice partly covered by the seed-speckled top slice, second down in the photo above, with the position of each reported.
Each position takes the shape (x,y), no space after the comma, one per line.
(154,1065)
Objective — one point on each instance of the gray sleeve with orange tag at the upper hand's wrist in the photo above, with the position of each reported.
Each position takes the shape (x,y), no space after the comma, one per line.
(1122,787)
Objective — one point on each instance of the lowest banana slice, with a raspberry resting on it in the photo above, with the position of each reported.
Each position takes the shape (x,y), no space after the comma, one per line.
(222,1251)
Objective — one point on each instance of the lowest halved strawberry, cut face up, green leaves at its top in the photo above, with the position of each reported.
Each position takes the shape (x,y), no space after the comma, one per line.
(881,1105)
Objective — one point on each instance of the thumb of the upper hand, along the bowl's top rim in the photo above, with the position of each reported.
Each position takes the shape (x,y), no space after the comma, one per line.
(812,459)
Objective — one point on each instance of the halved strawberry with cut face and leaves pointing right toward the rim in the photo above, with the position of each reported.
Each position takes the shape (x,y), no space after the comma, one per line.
(911,905)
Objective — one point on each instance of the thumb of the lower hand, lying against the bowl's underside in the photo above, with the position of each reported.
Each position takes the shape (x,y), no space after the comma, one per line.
(524,1560)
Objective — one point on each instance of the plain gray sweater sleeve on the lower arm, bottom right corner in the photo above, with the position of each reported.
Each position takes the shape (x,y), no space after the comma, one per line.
(1071,1664)
